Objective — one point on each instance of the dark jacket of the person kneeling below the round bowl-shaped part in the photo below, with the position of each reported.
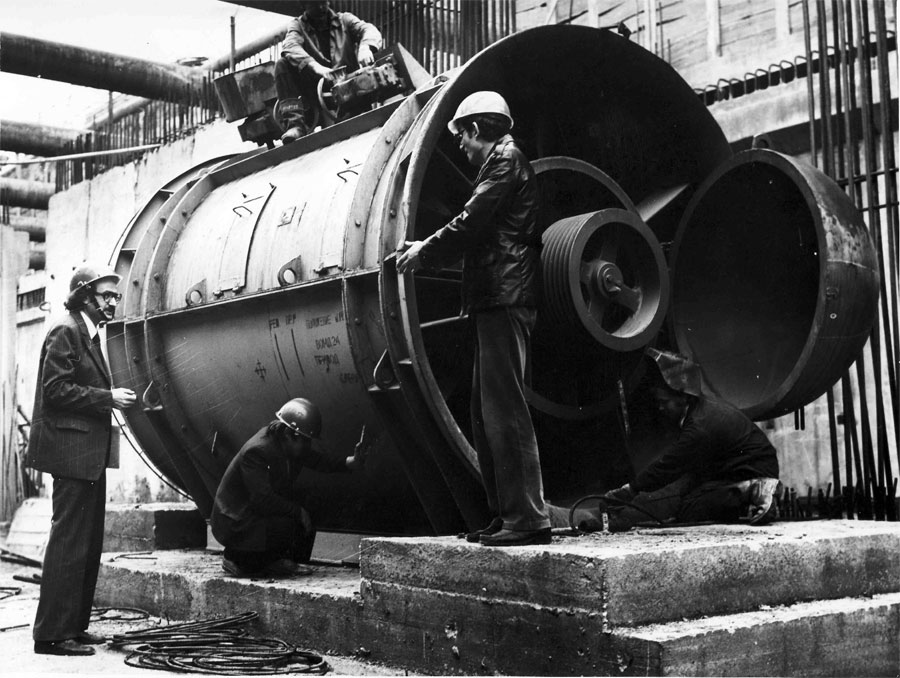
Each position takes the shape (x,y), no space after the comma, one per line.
(717,442)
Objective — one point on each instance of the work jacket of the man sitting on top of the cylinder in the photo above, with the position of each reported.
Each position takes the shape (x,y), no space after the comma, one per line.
(348,32)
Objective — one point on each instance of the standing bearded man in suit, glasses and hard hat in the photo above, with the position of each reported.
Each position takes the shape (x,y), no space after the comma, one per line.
(72,438)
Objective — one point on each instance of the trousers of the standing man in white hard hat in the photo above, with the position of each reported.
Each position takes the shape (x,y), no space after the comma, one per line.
(501,423)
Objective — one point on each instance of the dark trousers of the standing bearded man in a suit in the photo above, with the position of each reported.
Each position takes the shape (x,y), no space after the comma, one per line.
(72,559)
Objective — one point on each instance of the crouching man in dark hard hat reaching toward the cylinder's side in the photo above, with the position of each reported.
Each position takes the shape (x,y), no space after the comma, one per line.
(257,517)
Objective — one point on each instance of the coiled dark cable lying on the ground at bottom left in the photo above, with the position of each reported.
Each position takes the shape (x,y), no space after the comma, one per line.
(216,646)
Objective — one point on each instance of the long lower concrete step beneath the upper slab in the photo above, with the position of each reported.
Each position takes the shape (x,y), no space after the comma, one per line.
(428,631)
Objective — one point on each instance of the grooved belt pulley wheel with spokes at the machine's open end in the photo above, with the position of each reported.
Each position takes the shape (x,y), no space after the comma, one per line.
(604,273)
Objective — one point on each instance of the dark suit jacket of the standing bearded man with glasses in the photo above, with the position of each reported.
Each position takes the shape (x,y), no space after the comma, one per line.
(71,427)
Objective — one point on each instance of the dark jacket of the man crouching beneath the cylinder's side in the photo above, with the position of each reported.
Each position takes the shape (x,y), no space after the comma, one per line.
(259,483)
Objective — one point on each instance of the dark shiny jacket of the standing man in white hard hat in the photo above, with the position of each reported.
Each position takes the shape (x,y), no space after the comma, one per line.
(496,234)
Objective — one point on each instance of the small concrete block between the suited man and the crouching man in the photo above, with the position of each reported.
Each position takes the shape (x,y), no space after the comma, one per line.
(152,527)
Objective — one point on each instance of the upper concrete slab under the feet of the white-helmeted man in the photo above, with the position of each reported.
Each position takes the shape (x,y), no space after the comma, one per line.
(655,575)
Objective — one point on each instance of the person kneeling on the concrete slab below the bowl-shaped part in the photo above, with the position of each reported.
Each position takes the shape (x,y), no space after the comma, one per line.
(721,467)
